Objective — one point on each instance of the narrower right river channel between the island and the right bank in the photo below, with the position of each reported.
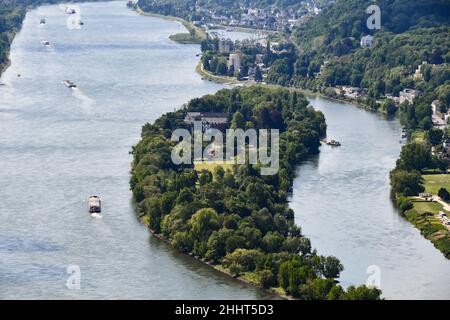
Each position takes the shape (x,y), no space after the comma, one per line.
(342,202)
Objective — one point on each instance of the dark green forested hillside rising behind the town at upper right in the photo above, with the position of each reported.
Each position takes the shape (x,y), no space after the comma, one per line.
(411,32)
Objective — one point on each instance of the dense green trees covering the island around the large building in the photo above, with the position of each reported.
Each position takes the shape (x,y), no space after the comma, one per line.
(235,218)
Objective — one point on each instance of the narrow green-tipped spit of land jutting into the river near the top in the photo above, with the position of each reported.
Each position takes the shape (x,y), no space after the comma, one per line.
(195,36)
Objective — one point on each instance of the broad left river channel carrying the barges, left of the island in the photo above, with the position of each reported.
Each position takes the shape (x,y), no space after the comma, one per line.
(59,146)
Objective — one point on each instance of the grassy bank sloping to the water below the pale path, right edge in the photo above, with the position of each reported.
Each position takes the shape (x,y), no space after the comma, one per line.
(423,216)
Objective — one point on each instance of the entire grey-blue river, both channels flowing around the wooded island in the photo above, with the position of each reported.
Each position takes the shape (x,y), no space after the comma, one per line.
(58,146)
